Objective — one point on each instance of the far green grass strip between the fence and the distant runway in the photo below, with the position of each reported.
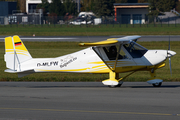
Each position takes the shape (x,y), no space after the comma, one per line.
(90,30)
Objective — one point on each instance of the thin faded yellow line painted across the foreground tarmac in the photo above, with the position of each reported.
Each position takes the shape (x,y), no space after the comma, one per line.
(83,111)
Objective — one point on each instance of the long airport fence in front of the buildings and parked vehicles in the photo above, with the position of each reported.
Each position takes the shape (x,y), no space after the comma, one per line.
(118,21)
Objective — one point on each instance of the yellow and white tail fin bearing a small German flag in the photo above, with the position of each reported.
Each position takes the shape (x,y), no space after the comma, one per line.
(15,53)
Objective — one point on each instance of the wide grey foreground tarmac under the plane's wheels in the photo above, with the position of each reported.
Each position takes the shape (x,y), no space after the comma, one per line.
(88,101)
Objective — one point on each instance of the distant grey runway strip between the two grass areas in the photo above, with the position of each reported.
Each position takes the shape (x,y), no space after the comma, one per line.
(93,38)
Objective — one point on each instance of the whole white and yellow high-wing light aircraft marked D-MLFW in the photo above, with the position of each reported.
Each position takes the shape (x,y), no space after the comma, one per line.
(113,56)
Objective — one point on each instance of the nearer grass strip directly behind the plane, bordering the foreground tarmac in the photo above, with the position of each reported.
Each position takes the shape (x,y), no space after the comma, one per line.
(54,49)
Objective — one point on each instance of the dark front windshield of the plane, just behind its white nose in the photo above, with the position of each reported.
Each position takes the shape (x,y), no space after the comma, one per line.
(135,50)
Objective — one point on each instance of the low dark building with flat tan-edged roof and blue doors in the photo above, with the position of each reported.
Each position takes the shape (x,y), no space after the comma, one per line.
(131,13)
